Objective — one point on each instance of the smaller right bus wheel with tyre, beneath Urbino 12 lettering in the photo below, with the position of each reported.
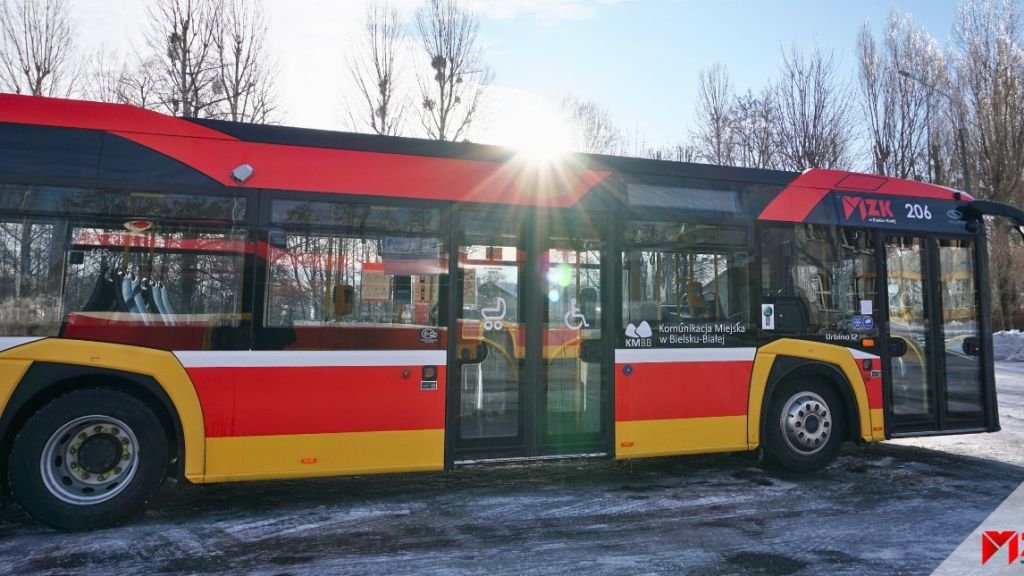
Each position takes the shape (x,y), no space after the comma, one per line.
(804,426)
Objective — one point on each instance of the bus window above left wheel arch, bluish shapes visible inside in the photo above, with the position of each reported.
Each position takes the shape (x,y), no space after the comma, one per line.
(168,285)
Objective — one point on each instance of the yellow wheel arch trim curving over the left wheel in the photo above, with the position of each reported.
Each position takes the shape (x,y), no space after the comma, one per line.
(160,366)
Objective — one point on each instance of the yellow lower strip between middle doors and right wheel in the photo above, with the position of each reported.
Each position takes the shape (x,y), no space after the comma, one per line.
(684,436)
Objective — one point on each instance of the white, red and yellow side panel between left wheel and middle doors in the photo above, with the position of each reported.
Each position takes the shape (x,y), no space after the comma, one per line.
(293,415)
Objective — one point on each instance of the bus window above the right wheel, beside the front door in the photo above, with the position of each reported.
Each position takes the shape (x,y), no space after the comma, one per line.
(827,274)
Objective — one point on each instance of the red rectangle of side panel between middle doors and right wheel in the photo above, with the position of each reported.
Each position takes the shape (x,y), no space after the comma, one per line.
(682,390)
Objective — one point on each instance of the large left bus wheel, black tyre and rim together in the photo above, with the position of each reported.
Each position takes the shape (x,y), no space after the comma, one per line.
(89,460)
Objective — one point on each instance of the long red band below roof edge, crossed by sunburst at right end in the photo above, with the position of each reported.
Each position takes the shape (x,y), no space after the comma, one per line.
(374,174)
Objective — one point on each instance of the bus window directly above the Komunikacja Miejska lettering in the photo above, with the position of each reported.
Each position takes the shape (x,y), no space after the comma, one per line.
(675,273)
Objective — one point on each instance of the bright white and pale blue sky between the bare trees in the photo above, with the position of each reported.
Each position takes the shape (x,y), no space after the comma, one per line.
(638,59)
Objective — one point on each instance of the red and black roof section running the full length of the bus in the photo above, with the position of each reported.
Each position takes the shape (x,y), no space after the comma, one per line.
(78,141)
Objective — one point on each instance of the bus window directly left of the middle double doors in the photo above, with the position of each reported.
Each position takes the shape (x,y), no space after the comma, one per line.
(354,276)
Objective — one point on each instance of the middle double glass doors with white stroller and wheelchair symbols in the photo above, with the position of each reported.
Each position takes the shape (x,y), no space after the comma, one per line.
(530,286)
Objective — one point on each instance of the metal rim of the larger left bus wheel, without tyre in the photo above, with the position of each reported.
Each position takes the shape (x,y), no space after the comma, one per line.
(90,461)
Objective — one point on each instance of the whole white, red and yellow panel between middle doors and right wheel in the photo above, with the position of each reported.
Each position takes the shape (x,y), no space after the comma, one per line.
(681,401)
